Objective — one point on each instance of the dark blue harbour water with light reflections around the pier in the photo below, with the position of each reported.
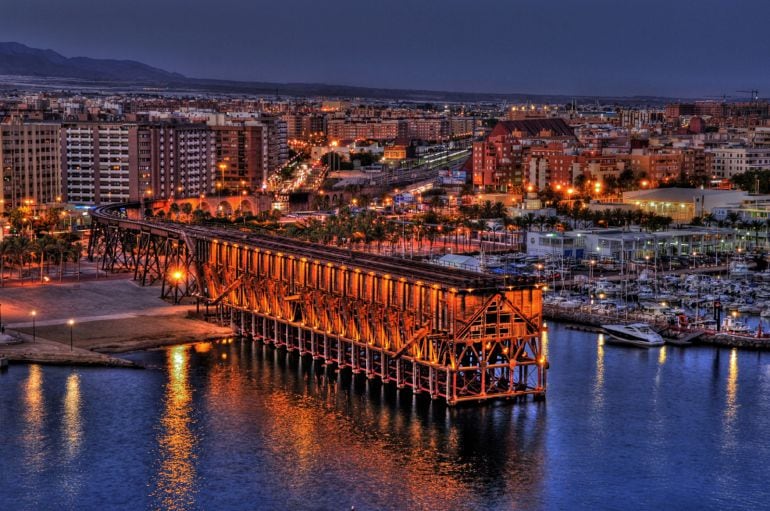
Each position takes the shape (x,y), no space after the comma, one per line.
(233,425)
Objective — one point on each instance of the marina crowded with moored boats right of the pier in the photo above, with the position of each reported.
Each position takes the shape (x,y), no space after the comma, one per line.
(722,305)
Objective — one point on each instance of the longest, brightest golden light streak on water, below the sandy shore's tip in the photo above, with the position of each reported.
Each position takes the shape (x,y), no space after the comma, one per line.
(176,475)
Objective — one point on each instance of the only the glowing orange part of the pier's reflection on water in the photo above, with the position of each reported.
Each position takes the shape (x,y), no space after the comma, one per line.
(312,426)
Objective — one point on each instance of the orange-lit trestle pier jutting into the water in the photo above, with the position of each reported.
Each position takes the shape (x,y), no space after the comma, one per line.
(456,335)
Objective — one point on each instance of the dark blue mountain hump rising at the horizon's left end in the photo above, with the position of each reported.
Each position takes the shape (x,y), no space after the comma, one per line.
(18,59)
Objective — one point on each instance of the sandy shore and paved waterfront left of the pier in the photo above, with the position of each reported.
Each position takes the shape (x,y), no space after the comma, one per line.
(110,316)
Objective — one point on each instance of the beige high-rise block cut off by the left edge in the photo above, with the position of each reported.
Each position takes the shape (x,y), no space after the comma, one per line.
(30,160)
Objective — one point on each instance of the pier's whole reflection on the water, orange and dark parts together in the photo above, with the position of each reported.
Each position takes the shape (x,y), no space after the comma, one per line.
(410,452)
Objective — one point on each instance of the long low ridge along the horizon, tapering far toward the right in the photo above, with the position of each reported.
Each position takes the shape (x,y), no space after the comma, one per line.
(49,68)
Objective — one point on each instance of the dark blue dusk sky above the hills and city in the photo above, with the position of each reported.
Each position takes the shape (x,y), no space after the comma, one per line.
(623,47)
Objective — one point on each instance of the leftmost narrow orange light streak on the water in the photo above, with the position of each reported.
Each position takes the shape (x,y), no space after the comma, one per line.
(34,415)
